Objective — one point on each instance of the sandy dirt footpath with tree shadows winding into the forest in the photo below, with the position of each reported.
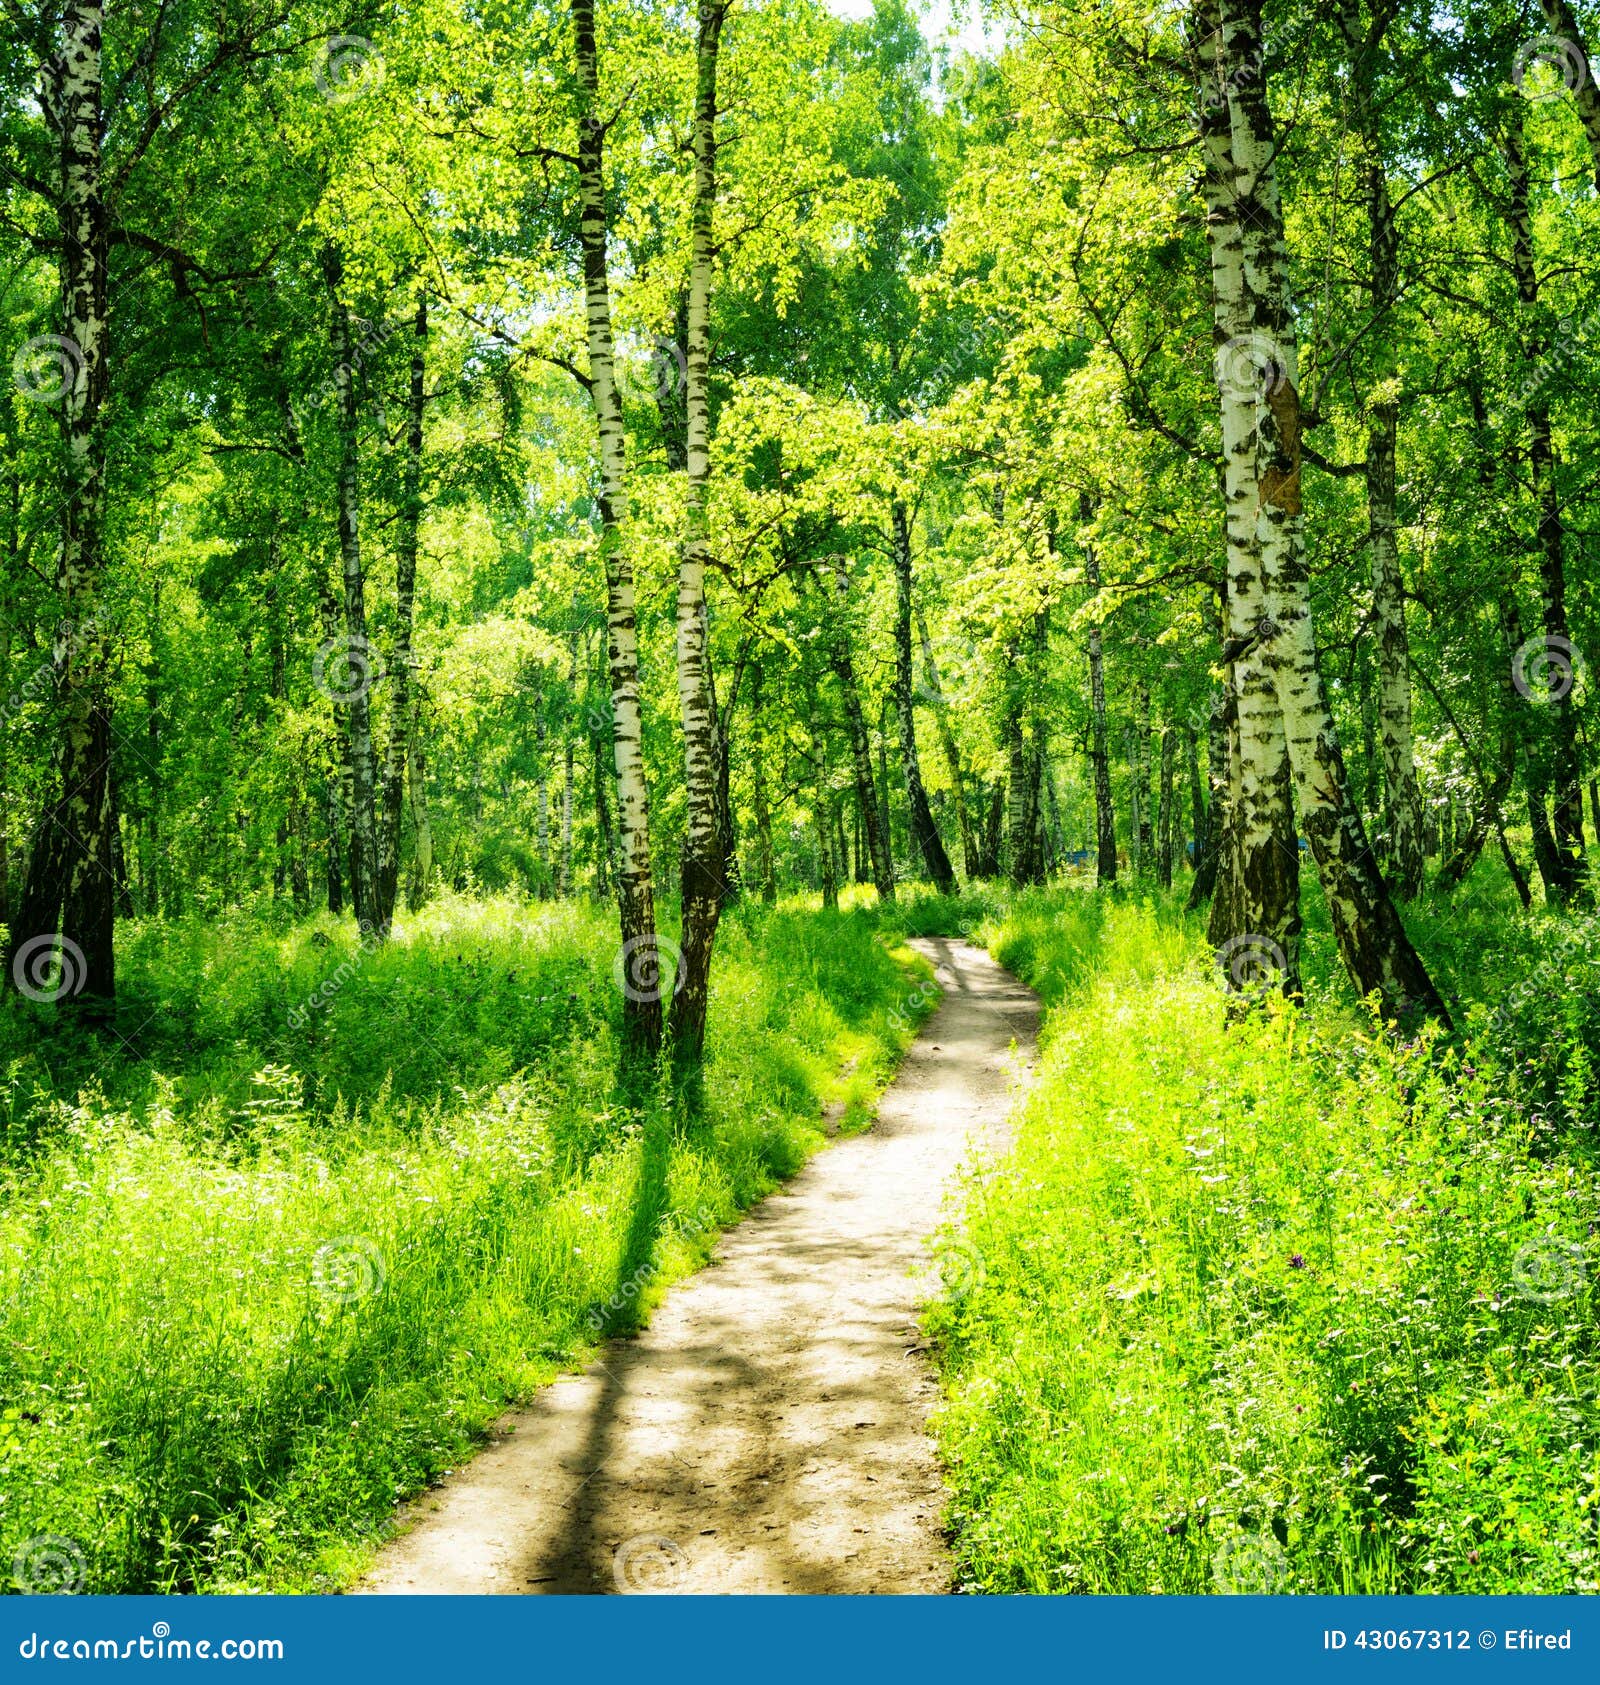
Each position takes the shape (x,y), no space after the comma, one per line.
(767,1433)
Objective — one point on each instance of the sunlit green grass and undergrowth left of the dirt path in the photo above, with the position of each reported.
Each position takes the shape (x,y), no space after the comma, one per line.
(262,1278)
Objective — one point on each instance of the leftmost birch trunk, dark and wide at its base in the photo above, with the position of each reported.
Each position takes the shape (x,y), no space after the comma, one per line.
(65,923)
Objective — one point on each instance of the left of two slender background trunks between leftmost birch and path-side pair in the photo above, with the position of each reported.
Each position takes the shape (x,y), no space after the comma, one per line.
(358,703)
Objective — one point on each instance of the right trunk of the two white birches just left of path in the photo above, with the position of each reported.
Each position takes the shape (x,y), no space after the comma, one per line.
(703,865)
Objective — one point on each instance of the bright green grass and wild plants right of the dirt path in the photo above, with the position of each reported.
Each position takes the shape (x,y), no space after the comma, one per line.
(1289,1305)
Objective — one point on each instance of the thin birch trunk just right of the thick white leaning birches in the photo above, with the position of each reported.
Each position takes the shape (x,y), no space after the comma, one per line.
(1400,794)
